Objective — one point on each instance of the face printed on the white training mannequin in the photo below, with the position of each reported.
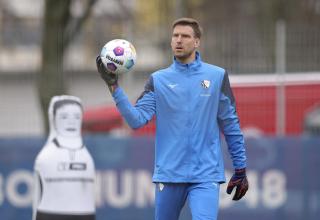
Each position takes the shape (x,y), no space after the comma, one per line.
(68,120)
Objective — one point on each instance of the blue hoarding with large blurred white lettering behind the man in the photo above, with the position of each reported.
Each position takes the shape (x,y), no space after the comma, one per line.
(282,172)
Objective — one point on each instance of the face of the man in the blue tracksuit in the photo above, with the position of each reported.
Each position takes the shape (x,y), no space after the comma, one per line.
(184,43)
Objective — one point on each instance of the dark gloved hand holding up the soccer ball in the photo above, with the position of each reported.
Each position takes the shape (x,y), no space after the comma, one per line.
(110,78)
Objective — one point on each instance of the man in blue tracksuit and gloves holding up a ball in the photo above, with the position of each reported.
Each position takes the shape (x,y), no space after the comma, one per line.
(193,103)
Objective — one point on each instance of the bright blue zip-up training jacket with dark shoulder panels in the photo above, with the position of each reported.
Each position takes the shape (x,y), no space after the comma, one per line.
(193,103)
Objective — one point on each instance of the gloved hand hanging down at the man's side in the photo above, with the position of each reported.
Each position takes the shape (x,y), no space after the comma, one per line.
(238,180)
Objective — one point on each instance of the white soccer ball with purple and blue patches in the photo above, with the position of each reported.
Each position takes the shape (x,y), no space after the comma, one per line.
(118,56)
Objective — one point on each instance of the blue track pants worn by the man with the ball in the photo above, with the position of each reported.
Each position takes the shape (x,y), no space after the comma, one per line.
(203,200)
